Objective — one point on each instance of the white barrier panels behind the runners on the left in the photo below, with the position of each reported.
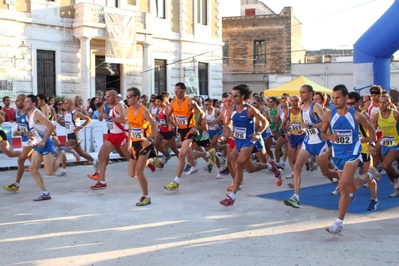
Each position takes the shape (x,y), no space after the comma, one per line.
(92,137)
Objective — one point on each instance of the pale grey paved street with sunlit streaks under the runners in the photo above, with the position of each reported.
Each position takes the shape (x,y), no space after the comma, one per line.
(84,227)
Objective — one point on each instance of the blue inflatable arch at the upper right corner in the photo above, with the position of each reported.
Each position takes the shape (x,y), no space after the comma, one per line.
(373,51)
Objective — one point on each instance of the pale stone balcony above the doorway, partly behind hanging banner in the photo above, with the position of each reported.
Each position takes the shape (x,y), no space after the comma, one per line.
(89,20)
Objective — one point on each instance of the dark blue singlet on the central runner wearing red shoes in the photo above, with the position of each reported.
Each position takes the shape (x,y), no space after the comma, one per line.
(243,126)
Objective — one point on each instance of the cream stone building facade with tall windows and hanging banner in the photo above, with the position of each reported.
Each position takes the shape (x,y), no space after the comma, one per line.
(60,47)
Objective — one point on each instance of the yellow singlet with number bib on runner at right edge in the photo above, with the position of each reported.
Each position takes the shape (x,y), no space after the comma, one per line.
(390,130)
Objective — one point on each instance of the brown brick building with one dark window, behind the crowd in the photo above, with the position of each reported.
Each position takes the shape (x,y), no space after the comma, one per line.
(259,44)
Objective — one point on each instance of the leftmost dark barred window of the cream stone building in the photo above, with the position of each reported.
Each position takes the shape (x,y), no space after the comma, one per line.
(46,72)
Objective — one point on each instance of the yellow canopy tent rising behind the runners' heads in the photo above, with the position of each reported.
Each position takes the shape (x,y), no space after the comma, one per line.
(292,87)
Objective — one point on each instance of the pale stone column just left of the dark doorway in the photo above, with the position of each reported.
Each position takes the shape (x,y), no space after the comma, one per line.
(85,88)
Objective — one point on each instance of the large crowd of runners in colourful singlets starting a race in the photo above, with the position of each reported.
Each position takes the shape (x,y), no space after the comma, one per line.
(350,138)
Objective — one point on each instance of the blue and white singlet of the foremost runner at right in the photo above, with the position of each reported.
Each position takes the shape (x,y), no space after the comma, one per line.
(348,141)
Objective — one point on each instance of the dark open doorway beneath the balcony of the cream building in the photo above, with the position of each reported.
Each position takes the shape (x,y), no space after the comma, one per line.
(107,75)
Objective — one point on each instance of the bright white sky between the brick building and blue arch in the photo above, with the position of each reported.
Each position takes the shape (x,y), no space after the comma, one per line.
(334,24)
